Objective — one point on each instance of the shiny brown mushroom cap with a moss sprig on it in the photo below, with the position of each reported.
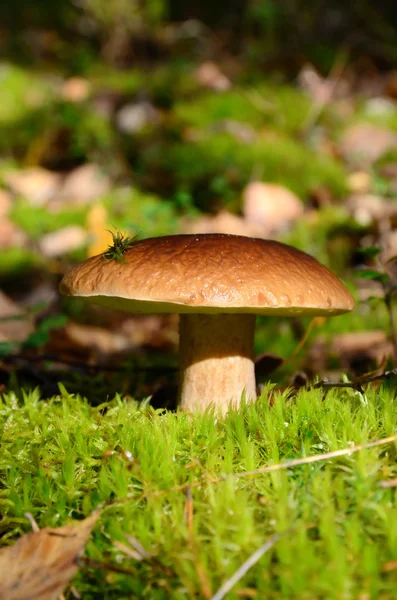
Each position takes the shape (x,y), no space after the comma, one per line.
(213,273)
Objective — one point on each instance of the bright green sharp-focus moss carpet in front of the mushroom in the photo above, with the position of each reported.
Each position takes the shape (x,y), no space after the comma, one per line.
(61,458)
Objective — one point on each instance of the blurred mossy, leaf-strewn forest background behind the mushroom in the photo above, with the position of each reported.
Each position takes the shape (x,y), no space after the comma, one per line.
(156,117)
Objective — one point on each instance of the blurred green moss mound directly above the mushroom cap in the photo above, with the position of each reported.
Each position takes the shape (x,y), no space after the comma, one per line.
(215,168)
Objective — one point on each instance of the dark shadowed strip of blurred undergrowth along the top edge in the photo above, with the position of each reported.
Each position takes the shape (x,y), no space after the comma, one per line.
(264,30)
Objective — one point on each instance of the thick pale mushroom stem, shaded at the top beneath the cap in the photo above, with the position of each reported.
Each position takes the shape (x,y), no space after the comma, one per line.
(216,360)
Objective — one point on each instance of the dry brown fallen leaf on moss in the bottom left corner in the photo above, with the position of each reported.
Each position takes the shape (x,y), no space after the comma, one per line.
(41,564)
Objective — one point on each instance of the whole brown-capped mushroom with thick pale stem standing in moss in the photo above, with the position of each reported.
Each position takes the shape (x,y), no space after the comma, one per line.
(217,283)
